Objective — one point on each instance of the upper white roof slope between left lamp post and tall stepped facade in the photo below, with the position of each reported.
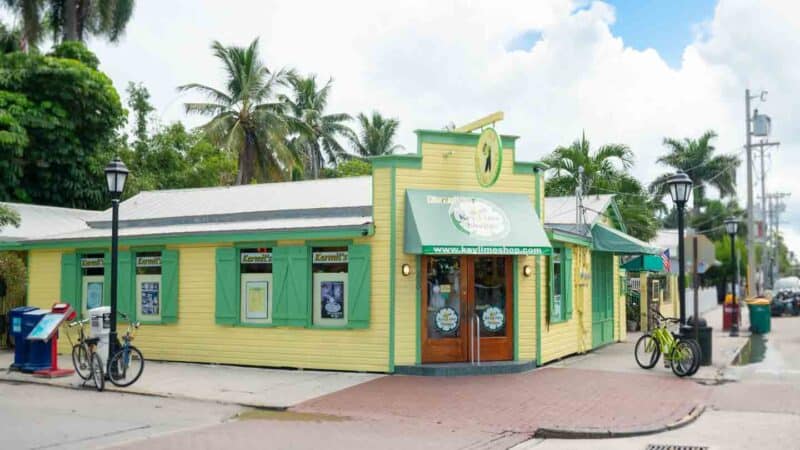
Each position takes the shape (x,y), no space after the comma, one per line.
(331,193)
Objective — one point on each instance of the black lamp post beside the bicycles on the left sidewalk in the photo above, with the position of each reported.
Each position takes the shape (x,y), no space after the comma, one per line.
(116,174)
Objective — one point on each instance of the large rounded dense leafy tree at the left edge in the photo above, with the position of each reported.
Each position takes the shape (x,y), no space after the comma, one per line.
(58,120)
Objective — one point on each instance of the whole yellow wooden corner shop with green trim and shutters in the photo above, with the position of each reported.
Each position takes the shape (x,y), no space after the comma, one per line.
(436,262)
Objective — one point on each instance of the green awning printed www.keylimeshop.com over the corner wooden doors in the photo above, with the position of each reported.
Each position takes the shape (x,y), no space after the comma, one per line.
(441,222)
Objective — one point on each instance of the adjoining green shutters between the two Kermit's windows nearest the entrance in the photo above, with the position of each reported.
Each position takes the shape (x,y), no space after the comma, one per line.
(291,273)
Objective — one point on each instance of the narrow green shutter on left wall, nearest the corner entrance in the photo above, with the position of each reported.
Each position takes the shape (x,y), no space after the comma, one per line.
(359,283)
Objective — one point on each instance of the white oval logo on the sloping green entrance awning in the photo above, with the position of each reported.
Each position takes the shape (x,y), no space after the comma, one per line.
(479,218)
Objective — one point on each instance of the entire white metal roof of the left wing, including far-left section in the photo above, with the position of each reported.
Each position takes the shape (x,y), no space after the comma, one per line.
(307,205)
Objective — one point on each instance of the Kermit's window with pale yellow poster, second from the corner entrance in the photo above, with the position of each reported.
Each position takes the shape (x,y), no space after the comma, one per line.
(255,269)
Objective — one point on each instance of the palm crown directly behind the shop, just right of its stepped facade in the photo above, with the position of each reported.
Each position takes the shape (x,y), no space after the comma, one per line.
(601,169)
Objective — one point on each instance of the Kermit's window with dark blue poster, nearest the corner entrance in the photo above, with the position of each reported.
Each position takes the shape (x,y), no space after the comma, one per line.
(329,267)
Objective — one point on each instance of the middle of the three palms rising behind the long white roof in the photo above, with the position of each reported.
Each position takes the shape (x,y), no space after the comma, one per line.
(316,132)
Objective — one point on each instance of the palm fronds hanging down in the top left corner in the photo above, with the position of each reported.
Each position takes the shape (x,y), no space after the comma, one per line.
(71,20)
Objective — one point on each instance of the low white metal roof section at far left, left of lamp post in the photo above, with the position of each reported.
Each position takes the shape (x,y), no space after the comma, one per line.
(41,221)
